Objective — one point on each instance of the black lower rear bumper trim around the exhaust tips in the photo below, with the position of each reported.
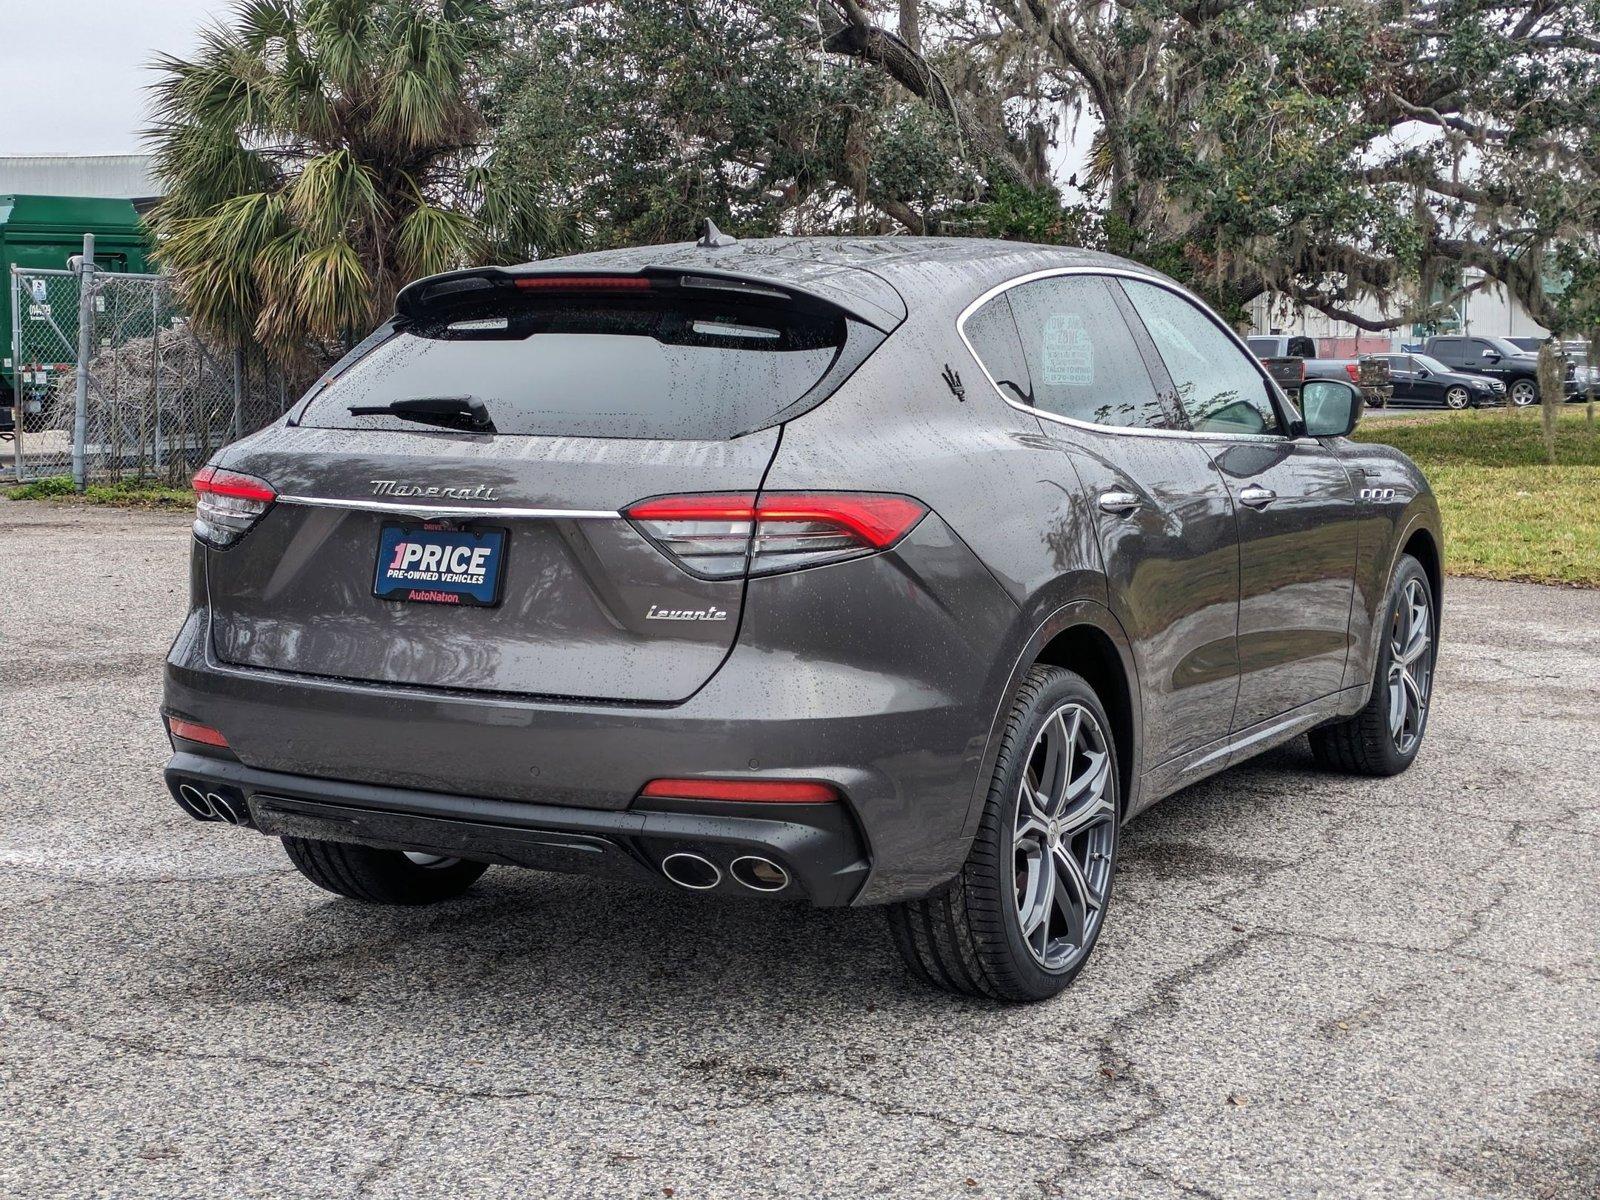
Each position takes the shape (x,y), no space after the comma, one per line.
(817,846)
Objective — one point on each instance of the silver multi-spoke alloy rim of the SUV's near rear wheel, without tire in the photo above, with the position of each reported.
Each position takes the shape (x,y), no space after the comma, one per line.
(1065,838)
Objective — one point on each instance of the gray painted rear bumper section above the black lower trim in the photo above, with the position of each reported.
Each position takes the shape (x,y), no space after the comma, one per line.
(890,703)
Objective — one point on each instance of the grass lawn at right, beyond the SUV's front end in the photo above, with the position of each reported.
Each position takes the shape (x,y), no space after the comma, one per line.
(1508,513)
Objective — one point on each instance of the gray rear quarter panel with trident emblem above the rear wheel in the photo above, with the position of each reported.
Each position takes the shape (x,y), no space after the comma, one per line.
(985,468)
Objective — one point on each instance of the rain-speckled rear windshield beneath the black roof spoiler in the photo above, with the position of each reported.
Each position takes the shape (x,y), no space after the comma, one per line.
(634,367)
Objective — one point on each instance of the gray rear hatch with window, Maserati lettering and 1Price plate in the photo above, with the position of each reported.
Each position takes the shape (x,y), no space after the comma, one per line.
(450,505)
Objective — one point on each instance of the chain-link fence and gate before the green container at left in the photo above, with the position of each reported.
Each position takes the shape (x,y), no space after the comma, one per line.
(156,399)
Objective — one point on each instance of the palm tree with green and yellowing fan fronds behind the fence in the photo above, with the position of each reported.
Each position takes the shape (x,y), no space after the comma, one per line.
(319,154)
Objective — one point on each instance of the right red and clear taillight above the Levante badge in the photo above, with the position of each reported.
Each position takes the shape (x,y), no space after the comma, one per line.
(724,535)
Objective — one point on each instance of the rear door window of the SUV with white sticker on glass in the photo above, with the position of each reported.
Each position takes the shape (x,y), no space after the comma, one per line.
(1082,358)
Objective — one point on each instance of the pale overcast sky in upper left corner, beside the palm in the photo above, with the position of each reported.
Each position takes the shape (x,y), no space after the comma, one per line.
(74,71)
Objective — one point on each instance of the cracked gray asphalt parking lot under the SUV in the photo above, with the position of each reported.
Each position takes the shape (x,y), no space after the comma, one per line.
(1310,986)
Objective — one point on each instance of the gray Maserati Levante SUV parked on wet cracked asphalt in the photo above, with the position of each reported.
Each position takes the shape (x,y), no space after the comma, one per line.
(862,572)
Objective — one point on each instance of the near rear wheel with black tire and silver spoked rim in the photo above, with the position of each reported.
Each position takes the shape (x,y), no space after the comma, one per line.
(969,937)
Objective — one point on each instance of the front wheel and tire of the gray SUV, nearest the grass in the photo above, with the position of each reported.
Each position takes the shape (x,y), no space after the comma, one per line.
(1370,743)
